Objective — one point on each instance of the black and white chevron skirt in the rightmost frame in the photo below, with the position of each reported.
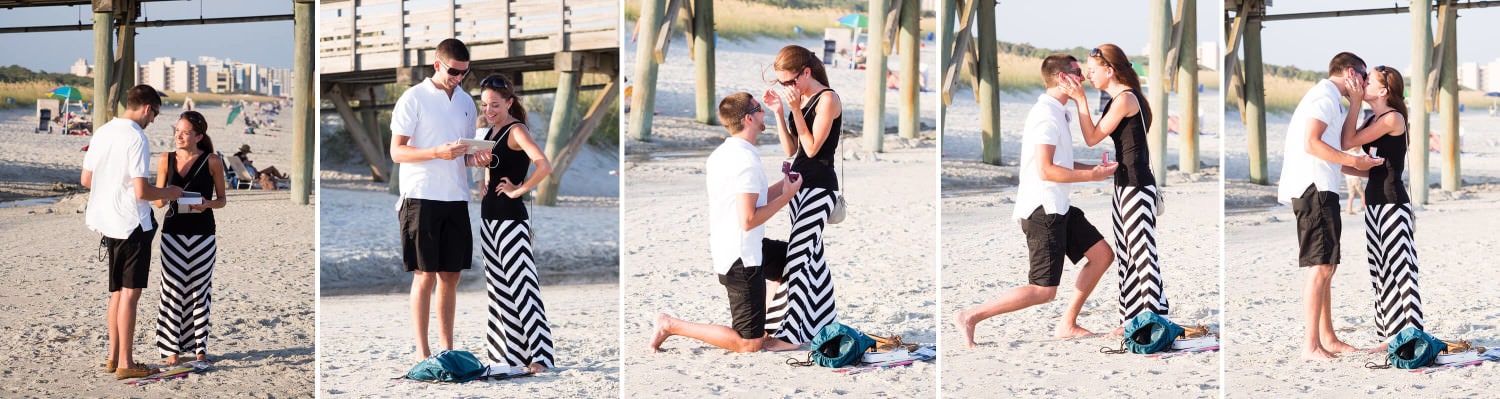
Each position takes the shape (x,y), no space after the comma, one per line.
(1391,251)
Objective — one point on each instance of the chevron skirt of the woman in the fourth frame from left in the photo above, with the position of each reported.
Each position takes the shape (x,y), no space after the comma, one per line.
(1136,253)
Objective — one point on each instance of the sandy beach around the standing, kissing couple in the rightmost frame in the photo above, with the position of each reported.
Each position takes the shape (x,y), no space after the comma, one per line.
(1265,305)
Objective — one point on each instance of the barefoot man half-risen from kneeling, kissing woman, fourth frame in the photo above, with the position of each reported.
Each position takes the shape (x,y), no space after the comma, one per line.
(1054,229)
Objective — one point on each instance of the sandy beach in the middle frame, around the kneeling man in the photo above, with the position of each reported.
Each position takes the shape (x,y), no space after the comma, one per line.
(881,266)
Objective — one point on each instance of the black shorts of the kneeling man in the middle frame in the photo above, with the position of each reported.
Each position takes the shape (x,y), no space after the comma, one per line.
(746,289)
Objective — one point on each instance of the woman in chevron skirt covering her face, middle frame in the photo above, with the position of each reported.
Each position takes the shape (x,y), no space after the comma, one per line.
(811,137)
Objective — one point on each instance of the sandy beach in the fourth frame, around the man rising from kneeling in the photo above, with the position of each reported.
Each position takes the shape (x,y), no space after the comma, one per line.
(985,256)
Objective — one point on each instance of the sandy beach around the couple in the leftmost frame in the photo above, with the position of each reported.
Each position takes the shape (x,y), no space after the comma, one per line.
(263,313)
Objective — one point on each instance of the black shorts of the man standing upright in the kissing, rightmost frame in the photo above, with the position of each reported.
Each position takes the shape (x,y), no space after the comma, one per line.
(1319,227)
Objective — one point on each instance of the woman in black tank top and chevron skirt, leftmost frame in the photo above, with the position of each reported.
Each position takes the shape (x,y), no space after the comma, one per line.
(190,247)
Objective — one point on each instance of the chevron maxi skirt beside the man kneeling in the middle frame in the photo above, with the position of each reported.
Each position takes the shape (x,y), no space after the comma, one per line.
(805,301)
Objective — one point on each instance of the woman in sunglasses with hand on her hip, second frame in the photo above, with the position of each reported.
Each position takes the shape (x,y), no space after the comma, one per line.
(518,332)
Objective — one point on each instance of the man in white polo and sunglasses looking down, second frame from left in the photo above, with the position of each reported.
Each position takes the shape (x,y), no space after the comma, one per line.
(436,239)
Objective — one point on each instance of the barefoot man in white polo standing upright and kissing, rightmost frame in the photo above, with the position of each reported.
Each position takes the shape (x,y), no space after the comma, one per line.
(1310,179)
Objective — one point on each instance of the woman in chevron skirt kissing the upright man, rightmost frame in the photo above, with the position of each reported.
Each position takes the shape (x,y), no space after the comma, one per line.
(1391,245)
